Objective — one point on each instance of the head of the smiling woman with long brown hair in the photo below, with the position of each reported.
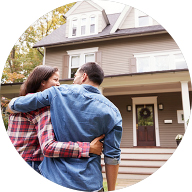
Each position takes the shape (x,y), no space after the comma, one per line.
(41,78)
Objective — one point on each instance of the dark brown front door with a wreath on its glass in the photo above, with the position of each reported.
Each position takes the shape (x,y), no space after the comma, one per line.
(145,125)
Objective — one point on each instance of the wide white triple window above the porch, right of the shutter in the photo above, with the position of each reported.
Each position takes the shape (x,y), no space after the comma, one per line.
(159,61)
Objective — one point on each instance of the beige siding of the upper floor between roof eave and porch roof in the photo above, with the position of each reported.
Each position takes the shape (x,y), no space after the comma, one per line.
(116,54)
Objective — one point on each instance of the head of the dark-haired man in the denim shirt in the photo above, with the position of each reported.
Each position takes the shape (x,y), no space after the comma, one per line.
(89,73)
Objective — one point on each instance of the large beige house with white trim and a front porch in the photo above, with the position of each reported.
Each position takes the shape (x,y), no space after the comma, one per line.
(146,75)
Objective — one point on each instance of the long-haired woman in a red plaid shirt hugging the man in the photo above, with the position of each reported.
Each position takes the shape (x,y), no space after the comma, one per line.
(32,133)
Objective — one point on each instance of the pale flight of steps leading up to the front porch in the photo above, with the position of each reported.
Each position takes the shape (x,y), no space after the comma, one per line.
(139,163)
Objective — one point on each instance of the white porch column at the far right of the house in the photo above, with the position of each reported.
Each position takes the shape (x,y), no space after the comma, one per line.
(185,101)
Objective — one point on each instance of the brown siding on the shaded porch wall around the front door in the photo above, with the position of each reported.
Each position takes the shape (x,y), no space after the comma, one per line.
(171,101)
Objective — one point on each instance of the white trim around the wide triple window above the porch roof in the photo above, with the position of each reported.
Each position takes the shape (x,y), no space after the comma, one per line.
(153,54)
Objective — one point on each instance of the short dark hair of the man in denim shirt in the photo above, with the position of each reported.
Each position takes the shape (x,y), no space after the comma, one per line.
(94,72)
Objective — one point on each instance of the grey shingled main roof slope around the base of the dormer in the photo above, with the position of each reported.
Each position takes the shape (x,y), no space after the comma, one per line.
(58,37)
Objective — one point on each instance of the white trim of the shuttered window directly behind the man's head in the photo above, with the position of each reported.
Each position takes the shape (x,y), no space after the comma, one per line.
(81,53)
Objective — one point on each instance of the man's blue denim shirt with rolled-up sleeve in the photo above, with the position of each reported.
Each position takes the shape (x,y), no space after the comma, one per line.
(78,113)
